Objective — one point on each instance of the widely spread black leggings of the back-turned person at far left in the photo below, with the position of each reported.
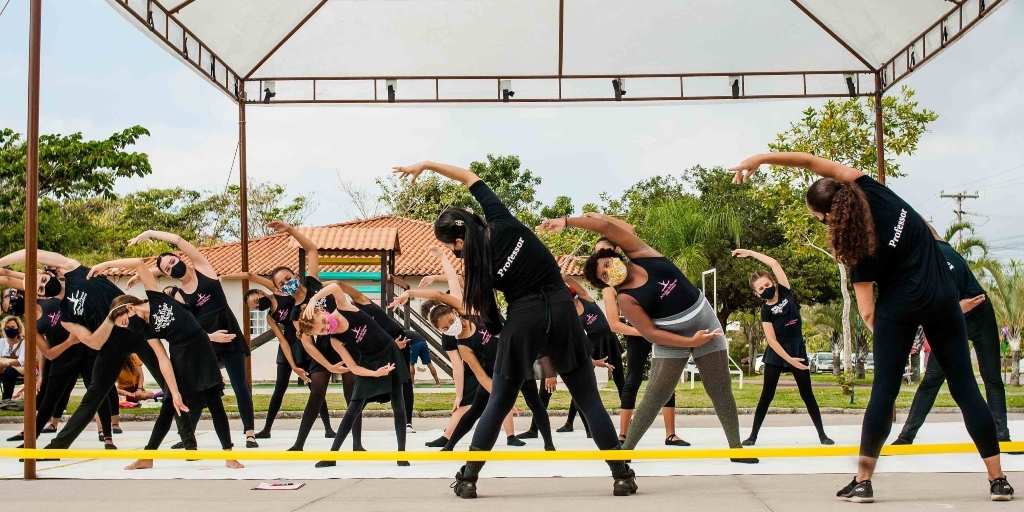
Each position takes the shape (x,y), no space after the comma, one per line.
(104,374)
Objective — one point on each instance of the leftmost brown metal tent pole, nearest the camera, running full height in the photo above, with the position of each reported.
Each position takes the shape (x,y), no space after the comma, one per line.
(31,242)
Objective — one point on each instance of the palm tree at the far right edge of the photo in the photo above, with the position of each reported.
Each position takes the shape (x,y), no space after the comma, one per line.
(1007,294)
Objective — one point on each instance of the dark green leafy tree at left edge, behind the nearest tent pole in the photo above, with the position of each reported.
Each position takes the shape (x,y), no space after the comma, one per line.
(70,169)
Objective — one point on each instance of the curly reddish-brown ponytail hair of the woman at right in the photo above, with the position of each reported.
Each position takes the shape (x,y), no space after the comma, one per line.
(851,228)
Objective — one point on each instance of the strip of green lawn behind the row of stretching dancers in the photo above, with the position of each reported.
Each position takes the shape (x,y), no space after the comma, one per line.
(828,397)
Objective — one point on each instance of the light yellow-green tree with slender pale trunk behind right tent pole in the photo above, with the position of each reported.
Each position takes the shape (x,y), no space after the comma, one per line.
(842,132)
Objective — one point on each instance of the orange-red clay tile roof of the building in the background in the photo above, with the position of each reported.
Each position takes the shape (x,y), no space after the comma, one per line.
(411,240)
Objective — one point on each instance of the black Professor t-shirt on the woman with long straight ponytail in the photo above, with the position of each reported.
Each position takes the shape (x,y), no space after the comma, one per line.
(523,265)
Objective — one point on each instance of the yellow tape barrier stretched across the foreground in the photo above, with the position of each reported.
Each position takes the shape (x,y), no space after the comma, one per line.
(591,455)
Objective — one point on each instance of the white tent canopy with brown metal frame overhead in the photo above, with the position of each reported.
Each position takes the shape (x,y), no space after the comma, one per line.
(551,51)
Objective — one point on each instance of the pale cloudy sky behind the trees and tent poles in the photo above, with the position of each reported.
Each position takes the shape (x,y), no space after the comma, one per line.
(102,75)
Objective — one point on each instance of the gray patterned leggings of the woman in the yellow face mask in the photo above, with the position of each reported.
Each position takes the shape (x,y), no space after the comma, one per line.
(665,375)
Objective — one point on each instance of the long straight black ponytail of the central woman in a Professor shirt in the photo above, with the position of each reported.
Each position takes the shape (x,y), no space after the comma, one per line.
(455,224)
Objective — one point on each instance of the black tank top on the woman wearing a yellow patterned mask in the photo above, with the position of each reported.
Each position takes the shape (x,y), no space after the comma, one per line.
(667,292)
